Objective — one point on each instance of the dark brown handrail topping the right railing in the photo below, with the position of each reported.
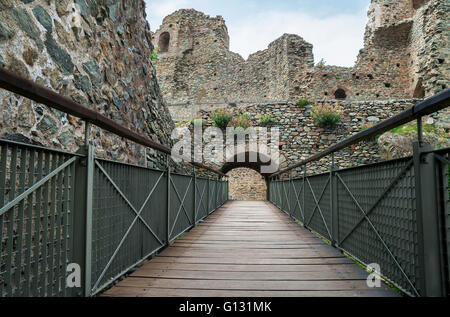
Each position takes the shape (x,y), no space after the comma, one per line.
(423,108)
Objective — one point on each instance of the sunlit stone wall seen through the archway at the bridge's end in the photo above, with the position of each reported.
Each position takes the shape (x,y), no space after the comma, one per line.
(246,184)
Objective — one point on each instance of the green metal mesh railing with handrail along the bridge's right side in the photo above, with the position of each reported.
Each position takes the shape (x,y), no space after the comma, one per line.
(394,213)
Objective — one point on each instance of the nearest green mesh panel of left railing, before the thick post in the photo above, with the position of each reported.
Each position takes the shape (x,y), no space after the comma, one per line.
(36,219)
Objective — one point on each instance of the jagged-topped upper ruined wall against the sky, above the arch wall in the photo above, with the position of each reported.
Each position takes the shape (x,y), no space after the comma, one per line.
(405,55)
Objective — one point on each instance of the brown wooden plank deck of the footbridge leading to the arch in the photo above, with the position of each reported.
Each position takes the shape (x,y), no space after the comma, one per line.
(248,249)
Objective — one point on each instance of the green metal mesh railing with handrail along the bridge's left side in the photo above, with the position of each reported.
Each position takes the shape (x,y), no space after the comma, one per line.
(58,209)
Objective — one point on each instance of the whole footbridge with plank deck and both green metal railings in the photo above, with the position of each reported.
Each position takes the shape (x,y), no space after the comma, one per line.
(72,224)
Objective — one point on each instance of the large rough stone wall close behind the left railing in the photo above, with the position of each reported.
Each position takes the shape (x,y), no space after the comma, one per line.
(95,52)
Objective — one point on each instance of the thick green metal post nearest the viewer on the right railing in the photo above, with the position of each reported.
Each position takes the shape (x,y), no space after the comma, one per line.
(431,262)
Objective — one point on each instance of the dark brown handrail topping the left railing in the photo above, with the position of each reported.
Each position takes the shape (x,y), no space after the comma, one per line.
(29,89)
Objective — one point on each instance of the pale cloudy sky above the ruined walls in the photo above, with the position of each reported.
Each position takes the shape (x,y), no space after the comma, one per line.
(335,28)
